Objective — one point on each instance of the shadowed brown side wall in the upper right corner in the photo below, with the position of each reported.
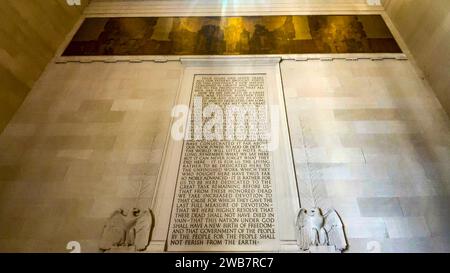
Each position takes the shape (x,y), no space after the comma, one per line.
(425,26)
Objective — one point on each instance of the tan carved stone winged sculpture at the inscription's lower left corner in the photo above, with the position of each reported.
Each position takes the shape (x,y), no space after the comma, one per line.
(126,229)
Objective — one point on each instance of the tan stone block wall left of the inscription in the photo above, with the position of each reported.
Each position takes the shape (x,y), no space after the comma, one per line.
(87,140)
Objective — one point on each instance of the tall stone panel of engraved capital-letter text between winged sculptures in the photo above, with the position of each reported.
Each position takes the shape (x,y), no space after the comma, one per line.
(224,198)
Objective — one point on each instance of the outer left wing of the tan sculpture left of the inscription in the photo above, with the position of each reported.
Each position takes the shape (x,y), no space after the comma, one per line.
(114,231)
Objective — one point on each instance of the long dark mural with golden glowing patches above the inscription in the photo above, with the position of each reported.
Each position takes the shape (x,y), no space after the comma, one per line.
(233,35)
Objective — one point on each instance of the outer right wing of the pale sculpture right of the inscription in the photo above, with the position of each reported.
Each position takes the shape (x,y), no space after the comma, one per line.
(335,230)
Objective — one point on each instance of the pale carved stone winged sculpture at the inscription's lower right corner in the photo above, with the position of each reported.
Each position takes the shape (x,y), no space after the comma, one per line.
(316,229)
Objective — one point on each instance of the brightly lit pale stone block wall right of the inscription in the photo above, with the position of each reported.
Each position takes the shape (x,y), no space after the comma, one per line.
(371,140)
